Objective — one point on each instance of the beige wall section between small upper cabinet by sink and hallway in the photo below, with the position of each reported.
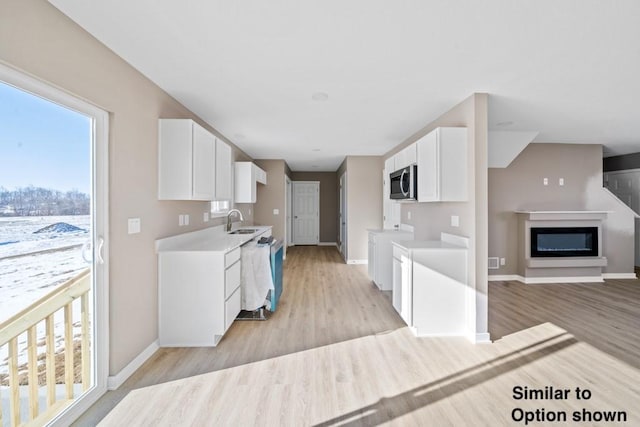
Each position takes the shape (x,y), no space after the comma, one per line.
(272,196)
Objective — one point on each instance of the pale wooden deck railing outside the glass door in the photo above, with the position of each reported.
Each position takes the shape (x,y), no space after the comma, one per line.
(41,313)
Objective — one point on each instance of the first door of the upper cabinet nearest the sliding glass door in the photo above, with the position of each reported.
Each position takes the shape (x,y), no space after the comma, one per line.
(204,150)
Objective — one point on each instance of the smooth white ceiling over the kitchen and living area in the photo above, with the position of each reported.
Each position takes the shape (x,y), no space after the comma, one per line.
(568,69)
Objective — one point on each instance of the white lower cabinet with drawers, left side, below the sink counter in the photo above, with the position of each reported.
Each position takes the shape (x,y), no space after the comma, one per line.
(199,296)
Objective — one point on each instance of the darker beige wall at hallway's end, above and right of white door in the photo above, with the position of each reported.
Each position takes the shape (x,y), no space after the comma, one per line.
(328,202)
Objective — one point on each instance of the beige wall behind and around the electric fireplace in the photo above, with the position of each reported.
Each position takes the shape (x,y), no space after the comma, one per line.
(520,187)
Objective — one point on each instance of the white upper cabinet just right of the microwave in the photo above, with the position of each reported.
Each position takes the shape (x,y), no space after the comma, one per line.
(442,165)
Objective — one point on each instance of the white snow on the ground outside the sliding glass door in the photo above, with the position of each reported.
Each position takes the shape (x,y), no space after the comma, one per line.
(32,265)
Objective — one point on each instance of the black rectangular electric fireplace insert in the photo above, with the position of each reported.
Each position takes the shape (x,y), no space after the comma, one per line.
(564,242)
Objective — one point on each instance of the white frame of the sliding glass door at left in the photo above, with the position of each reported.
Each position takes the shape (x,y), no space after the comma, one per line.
(100,213)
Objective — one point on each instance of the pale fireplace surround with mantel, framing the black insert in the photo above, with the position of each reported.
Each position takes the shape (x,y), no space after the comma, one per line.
(552,269)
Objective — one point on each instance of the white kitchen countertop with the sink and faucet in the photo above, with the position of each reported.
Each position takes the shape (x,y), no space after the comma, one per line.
(208,240)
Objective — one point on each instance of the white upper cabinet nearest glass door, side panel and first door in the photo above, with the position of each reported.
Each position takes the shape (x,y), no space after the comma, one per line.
(186,161)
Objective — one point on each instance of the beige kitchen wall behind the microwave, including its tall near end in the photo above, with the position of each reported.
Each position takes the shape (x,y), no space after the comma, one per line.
(430,219)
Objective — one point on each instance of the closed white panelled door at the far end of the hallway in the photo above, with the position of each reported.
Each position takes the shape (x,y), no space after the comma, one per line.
(306,212)
